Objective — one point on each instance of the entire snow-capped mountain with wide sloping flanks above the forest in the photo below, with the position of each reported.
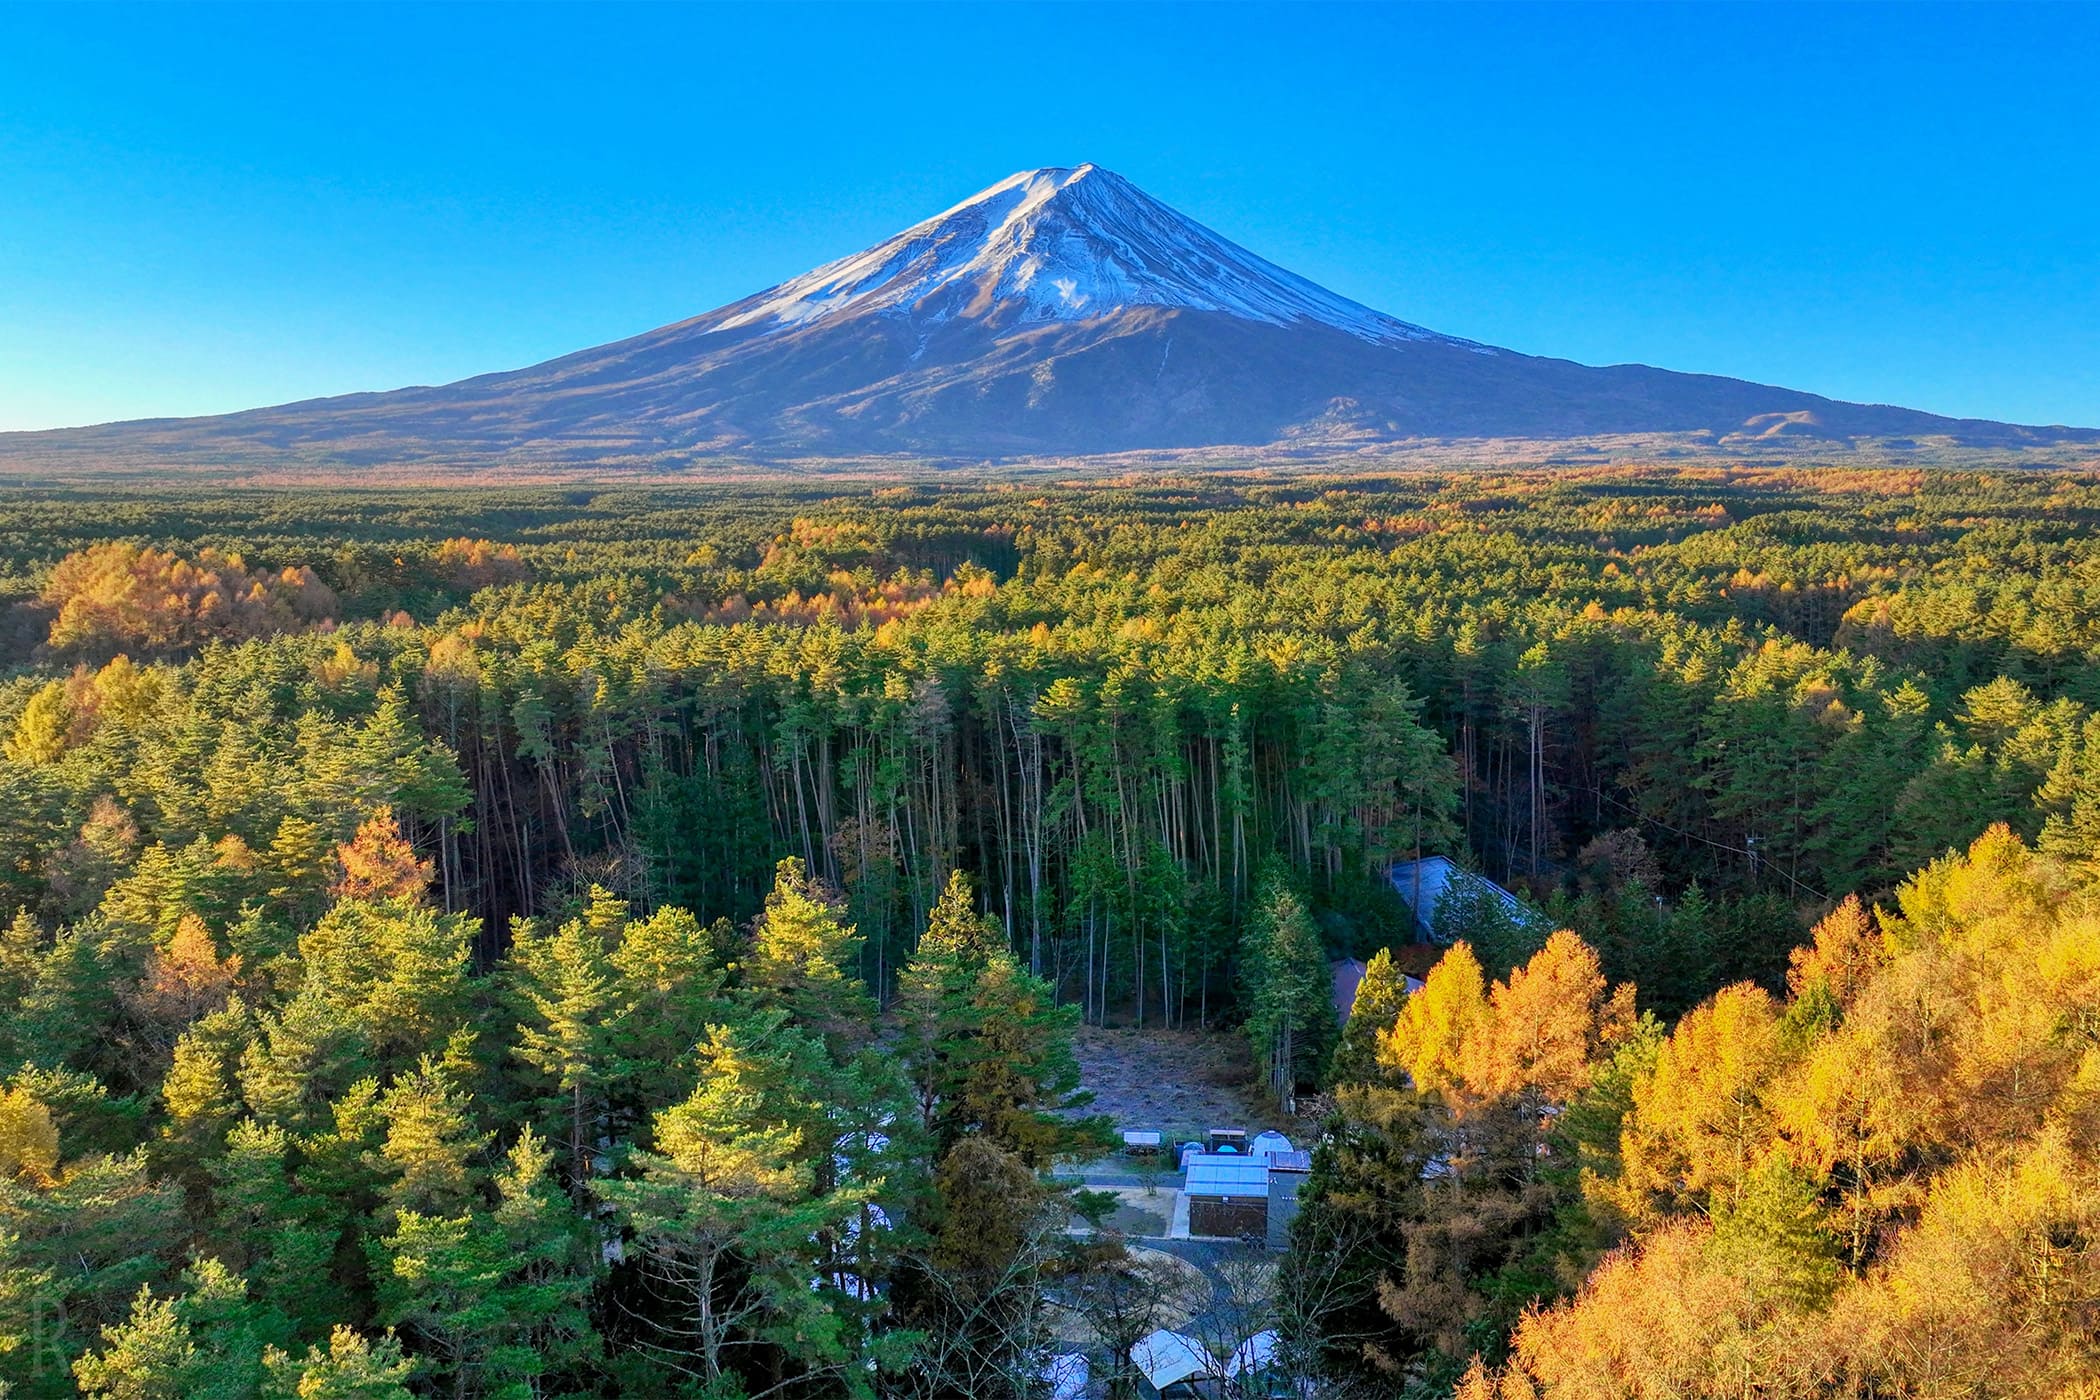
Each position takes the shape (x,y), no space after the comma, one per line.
(1057,314)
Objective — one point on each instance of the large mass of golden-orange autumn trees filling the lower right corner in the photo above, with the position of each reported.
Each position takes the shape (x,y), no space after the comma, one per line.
(1887,1187)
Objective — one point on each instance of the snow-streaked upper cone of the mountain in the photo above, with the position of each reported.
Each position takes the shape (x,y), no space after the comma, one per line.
(1064,245)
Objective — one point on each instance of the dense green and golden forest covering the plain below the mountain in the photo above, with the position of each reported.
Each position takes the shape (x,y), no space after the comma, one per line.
(631,941)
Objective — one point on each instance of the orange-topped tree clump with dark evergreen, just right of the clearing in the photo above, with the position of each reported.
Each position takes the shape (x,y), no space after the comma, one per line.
(1458,1183)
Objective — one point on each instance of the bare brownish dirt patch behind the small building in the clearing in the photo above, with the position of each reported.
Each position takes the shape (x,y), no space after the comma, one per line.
(1175,1082)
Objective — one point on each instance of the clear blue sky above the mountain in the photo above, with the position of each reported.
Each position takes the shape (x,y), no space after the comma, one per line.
(215,209)
